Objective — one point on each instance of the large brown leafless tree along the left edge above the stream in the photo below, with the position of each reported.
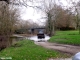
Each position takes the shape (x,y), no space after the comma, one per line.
(8,19)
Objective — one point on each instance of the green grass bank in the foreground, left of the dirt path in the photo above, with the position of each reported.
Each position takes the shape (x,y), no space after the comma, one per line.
(27,50)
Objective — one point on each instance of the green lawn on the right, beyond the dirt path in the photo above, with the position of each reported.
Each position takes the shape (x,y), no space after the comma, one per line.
(66,37)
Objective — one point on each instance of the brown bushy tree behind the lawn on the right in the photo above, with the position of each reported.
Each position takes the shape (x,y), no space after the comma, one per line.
(65,19)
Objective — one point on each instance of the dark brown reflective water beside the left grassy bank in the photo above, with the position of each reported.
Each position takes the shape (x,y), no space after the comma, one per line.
(6,41)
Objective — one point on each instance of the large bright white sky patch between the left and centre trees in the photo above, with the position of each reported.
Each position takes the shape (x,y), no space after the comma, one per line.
(32,14)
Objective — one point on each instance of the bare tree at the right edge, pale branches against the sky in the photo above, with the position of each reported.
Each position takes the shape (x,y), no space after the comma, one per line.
(76,10)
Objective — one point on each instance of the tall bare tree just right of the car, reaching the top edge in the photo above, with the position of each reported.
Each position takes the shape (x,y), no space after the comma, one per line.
(51,16)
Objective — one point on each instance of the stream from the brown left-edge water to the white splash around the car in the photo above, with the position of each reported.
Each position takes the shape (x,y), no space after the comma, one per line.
(6,43)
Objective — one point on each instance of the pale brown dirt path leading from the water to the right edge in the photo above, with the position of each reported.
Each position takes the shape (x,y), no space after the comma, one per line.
(60,47)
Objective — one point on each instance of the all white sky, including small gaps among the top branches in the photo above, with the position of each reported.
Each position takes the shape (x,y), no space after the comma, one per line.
(30,13)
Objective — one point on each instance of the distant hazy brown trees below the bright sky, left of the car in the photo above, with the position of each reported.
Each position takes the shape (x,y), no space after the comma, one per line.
(24,26)
